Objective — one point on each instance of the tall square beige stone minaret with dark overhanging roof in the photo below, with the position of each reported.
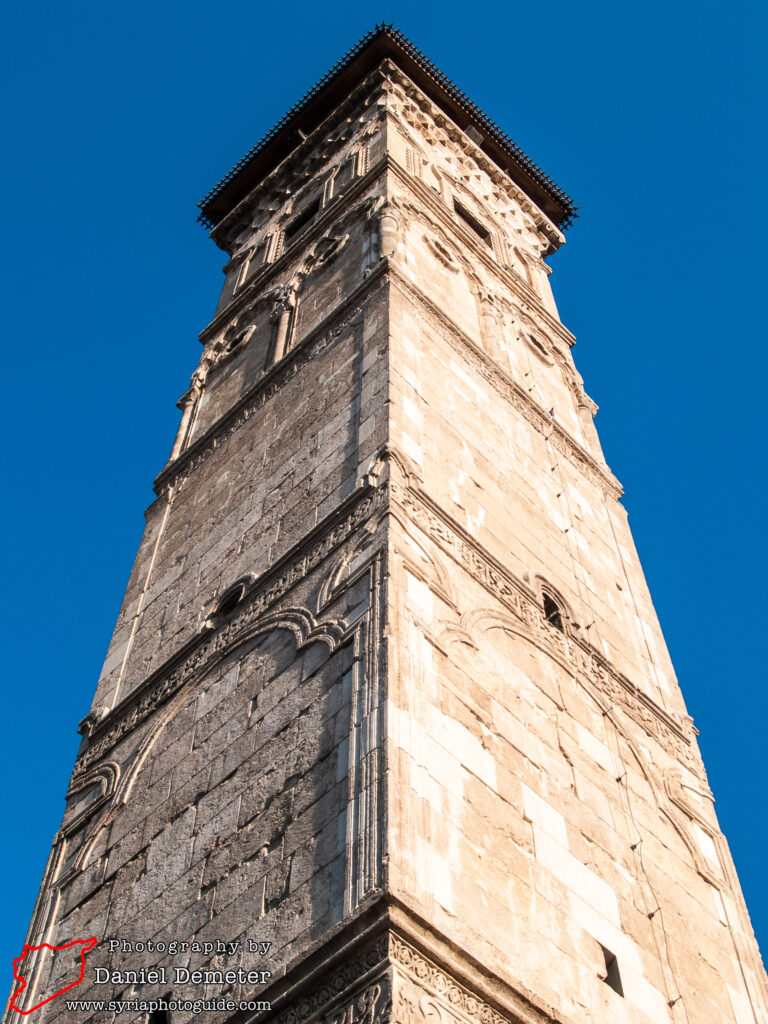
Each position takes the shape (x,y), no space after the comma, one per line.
(388,691)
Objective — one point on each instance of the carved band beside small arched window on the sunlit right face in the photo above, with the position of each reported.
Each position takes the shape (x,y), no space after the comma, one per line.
(575,654)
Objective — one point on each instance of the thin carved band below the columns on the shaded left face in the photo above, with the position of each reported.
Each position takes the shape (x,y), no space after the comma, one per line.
(313,346)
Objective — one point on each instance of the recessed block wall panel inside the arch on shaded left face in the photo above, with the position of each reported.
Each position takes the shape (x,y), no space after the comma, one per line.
(238,779)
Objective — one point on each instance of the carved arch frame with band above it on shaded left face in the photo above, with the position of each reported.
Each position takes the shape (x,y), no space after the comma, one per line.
(81,843)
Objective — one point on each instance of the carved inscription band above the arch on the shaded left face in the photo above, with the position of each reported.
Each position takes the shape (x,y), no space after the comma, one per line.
(274,585)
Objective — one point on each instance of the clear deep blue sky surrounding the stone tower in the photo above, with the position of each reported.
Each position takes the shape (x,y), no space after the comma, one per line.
(119,117)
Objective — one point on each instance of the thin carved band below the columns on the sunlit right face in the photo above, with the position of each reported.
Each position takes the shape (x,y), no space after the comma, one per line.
(491,372)
